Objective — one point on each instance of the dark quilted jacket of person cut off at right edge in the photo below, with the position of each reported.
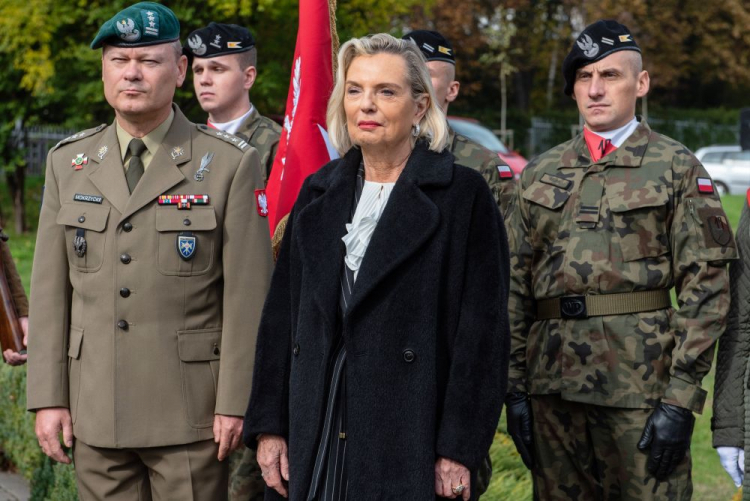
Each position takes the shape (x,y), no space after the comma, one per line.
(731,420)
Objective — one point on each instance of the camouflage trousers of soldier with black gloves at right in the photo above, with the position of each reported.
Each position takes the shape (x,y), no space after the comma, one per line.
(588,452)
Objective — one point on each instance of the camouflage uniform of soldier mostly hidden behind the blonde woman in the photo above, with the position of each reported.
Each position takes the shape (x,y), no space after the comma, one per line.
(471,154)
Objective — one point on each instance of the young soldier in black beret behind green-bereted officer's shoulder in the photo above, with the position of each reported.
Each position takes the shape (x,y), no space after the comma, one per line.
(224,70)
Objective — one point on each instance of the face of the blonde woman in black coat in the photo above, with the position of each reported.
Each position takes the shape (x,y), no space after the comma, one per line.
(380,110)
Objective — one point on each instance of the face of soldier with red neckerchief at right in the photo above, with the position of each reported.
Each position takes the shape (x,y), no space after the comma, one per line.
(606,91)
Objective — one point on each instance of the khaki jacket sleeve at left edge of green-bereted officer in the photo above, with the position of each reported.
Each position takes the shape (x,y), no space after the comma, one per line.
(47,383)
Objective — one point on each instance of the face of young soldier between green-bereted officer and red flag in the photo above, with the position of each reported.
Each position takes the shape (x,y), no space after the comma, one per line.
(221,86)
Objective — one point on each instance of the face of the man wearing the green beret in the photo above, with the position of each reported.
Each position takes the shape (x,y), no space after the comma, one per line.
(139,82)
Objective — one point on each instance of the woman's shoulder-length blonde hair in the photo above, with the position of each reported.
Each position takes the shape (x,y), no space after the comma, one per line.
(433,125)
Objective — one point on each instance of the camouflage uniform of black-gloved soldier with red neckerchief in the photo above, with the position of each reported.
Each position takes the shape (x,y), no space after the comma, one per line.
(633,221)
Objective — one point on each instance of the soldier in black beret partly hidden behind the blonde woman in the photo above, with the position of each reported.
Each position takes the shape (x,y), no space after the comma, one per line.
(441,63)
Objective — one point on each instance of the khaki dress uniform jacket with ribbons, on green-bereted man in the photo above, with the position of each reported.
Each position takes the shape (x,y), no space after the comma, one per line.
(189,331)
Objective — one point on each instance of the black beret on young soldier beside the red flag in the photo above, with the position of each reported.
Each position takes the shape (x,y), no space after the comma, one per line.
(218,39)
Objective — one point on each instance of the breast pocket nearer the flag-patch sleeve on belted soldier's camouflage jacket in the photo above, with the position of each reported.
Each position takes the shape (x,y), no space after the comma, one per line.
(639,218)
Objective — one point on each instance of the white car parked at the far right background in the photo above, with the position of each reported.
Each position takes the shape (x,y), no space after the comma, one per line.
(728,166)
